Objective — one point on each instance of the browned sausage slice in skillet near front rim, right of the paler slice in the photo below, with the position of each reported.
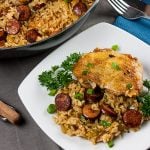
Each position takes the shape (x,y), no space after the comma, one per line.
(32,35)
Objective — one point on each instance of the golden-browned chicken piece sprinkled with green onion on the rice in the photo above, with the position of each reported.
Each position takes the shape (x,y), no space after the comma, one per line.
(118,73)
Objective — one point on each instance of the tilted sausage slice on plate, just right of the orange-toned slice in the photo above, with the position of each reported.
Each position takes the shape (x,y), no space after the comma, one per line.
(106,109)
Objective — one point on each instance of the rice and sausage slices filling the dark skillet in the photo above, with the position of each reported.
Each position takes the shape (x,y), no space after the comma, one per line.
(28,21)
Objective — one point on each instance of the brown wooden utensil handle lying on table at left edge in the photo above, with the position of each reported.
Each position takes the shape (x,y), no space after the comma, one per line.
(8,112)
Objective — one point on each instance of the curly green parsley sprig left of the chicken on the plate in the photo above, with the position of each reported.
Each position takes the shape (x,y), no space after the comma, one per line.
(59,76)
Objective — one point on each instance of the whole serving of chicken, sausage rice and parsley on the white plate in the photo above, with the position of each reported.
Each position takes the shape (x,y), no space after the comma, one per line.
(99,95)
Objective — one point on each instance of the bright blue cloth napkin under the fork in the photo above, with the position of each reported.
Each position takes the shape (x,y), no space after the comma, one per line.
(139,28)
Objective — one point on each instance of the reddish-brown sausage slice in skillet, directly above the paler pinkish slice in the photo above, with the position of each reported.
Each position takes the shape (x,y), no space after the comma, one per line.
(24,12)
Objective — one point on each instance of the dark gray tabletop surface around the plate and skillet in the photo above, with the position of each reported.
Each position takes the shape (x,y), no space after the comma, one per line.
(12,72)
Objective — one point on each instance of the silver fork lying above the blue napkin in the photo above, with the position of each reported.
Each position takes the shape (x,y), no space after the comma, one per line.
(126,10)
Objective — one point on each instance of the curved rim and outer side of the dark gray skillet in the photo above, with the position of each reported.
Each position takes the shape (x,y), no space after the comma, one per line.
(48,43)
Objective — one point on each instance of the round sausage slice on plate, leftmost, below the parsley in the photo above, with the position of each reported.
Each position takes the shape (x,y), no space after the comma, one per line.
(63,102)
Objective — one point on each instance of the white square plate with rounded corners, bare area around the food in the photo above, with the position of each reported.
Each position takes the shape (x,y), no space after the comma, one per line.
(36,99)
